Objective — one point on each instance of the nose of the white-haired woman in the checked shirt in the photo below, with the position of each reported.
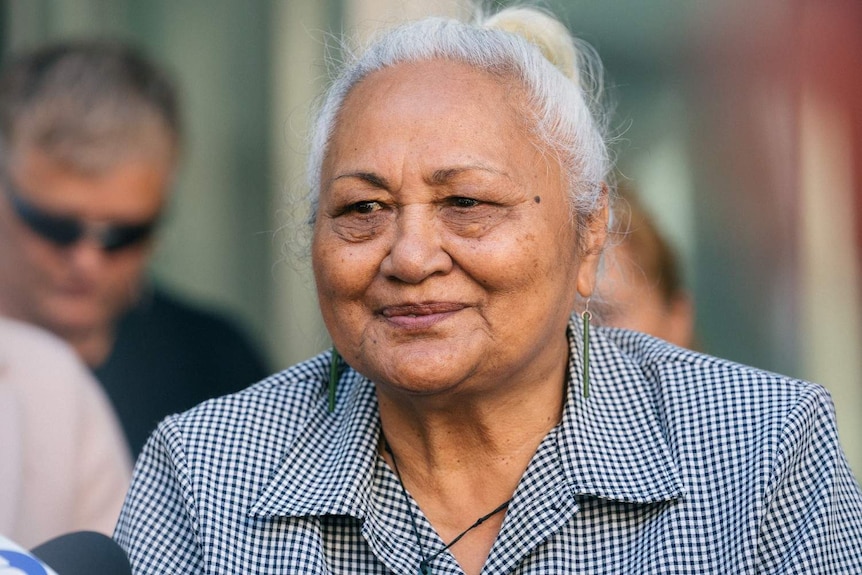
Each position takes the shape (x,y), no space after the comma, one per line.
(417,250)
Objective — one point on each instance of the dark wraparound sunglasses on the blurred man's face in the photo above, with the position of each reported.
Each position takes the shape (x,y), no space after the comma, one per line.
(65,231)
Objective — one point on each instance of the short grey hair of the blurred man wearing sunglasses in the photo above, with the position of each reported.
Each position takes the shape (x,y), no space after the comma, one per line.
(87,104)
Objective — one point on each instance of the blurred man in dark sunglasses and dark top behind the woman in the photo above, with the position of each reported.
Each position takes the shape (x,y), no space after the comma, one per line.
(89,146)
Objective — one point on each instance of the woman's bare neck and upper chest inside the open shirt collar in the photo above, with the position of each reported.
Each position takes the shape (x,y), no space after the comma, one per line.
(459,459)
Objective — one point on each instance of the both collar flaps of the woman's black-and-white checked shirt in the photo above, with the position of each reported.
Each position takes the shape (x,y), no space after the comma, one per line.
(611,443)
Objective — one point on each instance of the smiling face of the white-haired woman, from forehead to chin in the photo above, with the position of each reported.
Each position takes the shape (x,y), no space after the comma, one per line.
(443,251)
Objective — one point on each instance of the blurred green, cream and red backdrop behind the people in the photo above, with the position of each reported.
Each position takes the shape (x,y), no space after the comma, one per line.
(739,121)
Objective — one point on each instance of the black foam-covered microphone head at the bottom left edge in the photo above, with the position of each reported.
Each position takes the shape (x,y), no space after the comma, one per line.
(83,553)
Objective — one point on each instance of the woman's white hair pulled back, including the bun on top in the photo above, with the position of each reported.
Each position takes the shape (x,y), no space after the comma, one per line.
(560,76)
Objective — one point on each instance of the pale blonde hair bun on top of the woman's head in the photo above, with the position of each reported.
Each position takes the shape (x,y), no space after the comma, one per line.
(543,31)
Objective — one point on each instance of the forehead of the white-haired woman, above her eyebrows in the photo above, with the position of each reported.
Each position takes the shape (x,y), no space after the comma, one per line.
(448,111)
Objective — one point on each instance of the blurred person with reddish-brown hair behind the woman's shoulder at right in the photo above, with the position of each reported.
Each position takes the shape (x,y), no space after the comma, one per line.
(641,286)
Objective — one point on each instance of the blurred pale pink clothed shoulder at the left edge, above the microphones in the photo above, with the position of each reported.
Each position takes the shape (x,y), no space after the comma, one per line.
(64,463)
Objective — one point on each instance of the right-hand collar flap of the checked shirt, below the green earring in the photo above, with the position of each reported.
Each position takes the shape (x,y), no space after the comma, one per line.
(612,443)
